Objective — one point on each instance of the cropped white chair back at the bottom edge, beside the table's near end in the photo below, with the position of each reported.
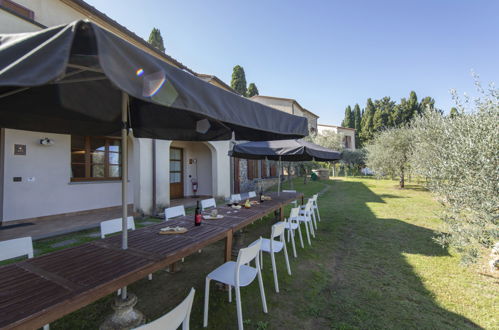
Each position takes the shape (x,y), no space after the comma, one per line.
(177,316)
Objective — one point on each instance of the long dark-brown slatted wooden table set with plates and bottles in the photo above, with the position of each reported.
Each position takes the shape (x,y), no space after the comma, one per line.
(43,289)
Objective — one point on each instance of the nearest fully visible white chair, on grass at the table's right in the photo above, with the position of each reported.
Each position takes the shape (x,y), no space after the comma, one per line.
(237,274)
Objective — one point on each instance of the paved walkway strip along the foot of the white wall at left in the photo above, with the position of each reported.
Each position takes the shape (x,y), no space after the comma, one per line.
(56,225)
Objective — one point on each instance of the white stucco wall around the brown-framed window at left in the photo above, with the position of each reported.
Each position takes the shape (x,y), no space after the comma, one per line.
(51,191)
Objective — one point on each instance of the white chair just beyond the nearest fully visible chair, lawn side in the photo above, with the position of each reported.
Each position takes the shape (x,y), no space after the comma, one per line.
(273,246)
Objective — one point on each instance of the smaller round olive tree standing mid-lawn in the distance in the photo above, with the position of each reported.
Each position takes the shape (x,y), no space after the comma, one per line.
(388,154)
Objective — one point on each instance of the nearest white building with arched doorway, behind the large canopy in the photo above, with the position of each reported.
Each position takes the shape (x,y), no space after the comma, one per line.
(82,174)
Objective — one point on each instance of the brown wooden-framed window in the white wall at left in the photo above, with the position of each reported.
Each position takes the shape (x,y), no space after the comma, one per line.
(95,158)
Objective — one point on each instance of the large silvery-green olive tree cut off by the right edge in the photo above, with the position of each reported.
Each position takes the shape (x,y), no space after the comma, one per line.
(459,157)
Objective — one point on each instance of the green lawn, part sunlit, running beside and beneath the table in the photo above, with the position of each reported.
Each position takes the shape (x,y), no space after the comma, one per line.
(373,264)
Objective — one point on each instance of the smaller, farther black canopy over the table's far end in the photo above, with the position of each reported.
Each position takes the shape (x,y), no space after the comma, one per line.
(285,150)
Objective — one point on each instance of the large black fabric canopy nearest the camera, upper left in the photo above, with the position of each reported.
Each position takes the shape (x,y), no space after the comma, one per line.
(69,79)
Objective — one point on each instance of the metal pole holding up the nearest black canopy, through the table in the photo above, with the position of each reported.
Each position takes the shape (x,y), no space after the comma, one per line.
(124,177)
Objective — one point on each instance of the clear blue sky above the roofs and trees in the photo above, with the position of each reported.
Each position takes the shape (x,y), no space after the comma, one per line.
(328,54)
